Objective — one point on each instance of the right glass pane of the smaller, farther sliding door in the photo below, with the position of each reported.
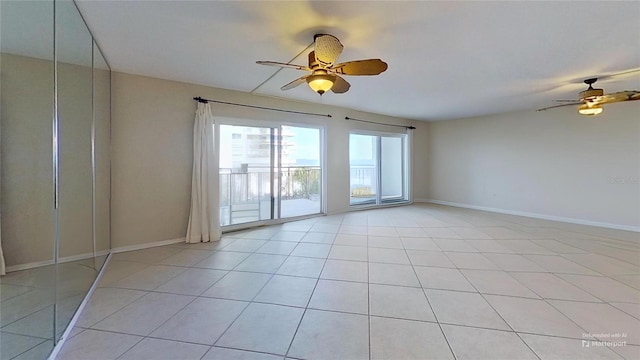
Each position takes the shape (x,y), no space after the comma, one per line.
(391,169)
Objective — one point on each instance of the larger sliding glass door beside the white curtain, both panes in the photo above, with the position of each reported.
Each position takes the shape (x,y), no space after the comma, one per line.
(268,173)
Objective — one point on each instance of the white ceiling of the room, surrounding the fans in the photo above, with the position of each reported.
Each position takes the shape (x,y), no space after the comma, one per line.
(446,59)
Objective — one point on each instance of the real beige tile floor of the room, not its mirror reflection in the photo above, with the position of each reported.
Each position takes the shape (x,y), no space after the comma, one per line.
(414,282)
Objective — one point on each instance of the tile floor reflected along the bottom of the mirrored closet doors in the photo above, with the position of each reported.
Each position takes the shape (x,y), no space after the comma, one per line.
(27,310)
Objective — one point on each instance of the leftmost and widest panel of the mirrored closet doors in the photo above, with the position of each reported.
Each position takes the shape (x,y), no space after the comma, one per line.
(27,291)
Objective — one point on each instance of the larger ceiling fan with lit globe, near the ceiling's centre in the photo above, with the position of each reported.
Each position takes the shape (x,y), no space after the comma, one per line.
(325,73)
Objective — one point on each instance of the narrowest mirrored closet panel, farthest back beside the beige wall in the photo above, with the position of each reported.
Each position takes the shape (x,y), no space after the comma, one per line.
(102,126)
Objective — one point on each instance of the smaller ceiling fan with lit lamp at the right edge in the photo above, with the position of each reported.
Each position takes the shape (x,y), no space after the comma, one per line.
(590,101)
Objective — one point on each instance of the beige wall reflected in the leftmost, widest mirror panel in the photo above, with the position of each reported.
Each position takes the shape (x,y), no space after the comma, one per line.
(27,170)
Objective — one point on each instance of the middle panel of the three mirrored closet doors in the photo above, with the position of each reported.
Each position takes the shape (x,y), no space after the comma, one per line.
(74,53)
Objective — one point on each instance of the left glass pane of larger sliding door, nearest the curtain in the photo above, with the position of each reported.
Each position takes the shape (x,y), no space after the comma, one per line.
(246,176)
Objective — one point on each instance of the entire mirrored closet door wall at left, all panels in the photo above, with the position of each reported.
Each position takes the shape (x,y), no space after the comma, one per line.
(54,171)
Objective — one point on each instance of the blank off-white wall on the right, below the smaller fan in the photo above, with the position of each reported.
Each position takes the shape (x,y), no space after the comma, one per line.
(555,163)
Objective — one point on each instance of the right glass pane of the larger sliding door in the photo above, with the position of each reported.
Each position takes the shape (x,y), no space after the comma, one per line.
(301,175)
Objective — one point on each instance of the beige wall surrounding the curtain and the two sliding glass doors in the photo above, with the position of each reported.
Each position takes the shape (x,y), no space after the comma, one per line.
(152,135)
